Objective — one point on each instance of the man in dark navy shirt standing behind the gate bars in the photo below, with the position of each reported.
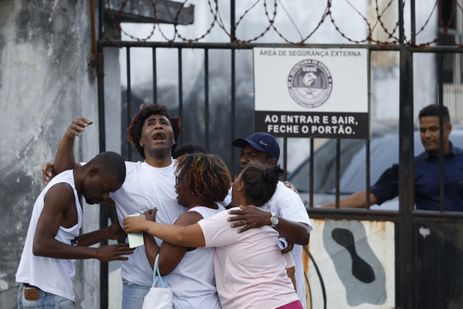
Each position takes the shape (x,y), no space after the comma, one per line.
(427,170)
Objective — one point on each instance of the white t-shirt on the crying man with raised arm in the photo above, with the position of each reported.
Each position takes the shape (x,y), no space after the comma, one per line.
(146,187)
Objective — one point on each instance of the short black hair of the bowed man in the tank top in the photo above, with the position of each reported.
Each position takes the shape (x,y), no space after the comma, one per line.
(110,163)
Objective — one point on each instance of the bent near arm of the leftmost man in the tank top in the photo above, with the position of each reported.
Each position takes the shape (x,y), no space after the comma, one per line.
(58,202)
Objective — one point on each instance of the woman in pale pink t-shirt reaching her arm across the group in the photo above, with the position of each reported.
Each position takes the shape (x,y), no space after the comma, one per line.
(250,270)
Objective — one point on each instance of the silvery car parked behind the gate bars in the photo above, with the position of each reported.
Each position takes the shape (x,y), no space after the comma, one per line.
(384,152)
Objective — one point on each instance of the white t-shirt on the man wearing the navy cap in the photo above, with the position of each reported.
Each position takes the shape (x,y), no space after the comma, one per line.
(287,204)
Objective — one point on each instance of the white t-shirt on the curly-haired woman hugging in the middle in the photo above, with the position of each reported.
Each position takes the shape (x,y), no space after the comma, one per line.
(193,280)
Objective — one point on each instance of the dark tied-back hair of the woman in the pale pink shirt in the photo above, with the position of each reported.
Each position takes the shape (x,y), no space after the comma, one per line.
(260,183)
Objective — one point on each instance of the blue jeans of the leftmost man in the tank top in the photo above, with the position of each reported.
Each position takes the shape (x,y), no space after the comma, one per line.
(45,301)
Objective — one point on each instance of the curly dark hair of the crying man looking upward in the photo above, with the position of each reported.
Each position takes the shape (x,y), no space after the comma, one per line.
(136,125)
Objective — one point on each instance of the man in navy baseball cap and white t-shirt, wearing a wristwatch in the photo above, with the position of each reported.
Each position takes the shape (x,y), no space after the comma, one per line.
(285,211)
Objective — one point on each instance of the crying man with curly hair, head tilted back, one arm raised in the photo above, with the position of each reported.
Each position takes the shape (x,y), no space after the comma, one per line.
(148,184)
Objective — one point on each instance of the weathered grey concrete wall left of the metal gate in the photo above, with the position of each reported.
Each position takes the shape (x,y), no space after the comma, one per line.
(45,82)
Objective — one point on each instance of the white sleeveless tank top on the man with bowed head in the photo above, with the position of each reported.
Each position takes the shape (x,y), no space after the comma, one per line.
(51,275)
